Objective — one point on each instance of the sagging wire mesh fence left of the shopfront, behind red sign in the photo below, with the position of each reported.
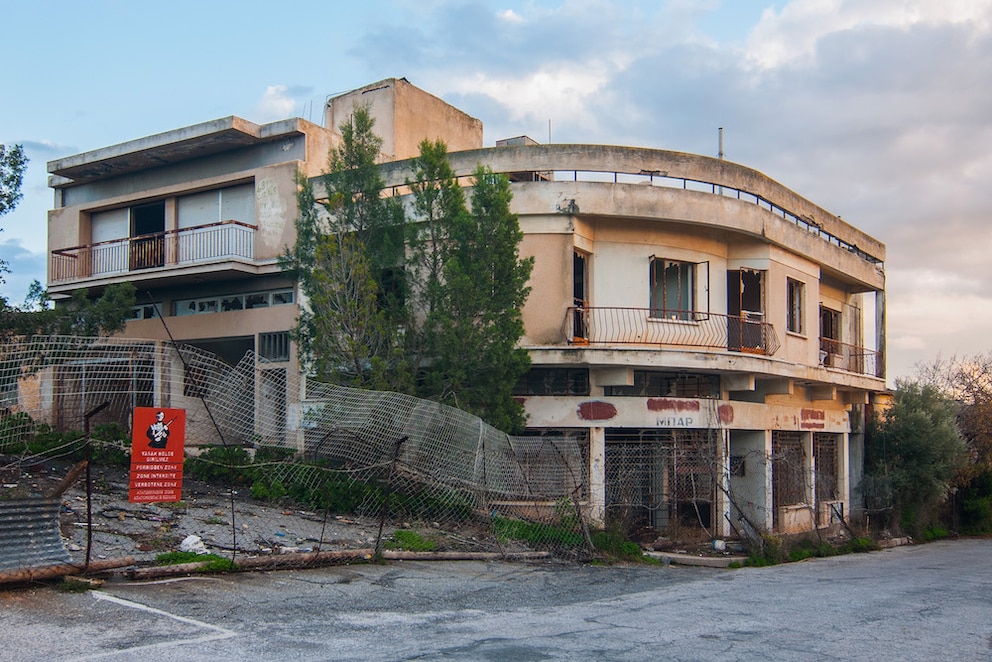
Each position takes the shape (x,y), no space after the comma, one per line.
(279,471)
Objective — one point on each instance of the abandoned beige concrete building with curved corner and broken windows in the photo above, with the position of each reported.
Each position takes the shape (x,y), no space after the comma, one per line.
(700,329)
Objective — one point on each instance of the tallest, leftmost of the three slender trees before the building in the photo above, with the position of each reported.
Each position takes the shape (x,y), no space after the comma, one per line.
(348,245)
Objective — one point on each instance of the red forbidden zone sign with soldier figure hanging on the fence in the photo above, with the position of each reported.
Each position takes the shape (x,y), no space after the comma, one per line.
(157,440)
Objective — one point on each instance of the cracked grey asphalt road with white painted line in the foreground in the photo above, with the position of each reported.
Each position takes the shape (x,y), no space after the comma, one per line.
(929,602)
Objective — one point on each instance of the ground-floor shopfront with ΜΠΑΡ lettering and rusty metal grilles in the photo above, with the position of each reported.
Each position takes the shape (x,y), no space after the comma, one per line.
(686,468)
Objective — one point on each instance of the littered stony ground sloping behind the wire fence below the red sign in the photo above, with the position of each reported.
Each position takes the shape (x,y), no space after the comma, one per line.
(140,530)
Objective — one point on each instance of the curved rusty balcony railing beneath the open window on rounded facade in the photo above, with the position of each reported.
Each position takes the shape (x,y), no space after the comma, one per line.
(680,328)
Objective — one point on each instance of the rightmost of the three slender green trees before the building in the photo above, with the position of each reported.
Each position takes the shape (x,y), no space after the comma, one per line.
(478,361)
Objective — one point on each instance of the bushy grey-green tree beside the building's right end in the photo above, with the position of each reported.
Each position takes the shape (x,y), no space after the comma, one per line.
(912,456)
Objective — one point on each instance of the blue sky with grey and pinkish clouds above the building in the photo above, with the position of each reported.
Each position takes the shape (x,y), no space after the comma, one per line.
(880,111)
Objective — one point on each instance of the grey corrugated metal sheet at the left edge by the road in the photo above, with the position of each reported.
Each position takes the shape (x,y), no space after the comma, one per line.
(29,533)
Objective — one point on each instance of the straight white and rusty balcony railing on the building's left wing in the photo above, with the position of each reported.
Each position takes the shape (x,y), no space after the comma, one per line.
(196,245)
